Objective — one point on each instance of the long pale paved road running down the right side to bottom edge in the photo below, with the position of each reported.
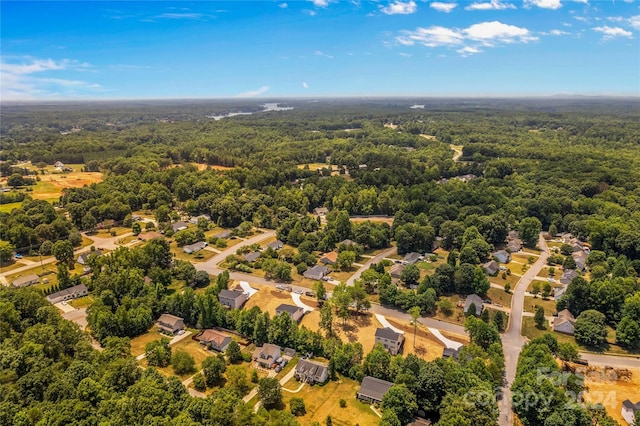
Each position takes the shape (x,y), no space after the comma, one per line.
(512,339)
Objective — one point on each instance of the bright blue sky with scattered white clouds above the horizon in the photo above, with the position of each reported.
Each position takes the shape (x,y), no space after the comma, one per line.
(133,50)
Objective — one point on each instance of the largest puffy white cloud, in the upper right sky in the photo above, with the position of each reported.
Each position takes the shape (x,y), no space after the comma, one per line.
(469,40)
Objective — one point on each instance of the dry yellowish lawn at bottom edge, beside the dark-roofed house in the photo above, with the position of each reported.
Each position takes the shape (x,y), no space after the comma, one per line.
(323,400)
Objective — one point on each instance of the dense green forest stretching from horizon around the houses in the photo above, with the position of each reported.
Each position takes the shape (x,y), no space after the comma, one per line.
(556,166)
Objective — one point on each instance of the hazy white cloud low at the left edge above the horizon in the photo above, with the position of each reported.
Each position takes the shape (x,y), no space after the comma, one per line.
(19,79)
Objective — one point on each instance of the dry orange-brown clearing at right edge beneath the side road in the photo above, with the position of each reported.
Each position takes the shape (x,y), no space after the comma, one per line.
(606,388)
